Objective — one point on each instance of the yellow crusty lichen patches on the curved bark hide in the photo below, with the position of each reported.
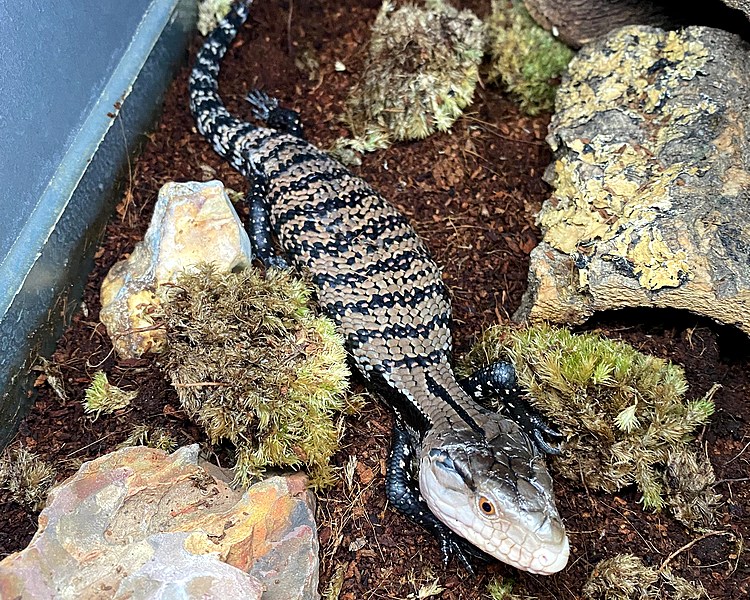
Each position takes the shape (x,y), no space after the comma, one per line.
(611,190)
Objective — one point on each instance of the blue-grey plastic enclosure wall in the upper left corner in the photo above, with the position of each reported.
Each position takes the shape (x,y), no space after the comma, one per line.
(80,82)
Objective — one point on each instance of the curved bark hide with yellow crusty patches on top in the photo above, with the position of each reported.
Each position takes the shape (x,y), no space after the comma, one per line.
(650,202)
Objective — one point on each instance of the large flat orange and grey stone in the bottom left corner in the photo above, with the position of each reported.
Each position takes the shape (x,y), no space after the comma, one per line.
(139,523)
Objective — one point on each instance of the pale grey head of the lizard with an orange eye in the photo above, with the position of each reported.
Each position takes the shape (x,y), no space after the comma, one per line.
(497,494)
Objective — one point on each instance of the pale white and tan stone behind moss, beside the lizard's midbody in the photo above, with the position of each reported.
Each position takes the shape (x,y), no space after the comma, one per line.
(192,223)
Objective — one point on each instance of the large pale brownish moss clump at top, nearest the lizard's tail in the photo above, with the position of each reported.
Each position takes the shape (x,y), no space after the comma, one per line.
(421,72)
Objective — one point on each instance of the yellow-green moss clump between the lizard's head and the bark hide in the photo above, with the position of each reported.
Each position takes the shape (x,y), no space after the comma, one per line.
(622,412)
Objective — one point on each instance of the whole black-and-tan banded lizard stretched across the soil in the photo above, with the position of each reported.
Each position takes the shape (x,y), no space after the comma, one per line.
(481,479)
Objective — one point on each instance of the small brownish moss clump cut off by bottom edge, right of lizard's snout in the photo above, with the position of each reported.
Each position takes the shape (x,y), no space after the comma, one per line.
(625,577)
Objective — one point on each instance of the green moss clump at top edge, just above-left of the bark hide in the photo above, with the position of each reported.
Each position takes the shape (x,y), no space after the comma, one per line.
(528,60)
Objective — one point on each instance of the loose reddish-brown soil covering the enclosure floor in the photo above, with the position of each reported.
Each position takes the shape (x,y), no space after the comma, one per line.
(472,194)
